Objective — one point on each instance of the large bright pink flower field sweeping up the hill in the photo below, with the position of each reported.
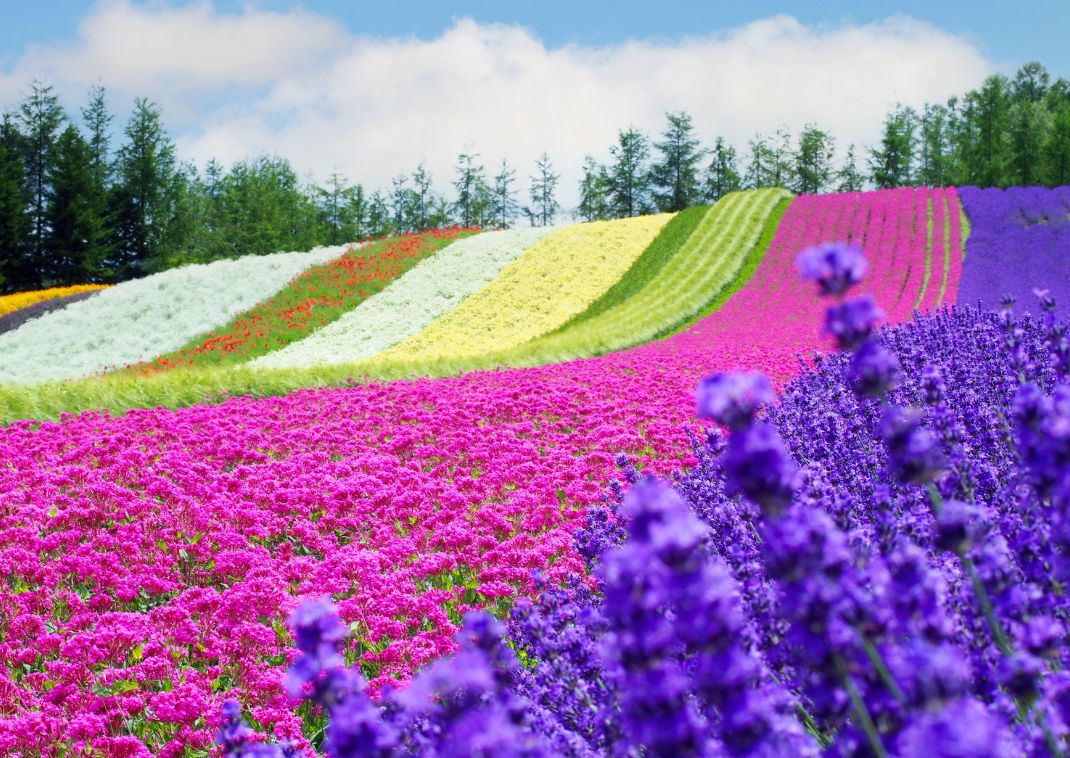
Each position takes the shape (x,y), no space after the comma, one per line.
(150,560)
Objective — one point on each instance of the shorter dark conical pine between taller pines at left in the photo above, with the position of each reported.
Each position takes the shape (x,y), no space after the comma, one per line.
(78,238)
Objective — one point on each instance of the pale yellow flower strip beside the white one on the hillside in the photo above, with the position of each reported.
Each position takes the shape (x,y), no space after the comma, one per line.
(552,282)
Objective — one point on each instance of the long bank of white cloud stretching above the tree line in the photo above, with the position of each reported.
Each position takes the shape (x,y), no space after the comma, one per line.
(299,86)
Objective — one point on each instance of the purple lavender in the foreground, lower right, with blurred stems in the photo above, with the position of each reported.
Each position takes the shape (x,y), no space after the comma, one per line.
(876,564)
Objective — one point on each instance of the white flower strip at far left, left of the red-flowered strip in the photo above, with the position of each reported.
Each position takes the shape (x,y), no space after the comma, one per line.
(142,320)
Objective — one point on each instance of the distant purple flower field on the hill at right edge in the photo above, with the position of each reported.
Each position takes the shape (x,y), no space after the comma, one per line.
(1019,241)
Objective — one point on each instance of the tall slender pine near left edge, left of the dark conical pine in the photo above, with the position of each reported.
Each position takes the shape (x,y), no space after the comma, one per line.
(41,118)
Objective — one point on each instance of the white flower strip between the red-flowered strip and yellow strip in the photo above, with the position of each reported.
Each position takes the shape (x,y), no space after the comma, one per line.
(429,291)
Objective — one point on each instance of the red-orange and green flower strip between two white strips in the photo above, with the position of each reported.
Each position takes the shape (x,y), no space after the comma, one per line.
(314,300)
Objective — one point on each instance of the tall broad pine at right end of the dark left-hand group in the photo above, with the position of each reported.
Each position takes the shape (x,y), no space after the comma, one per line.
(145,168)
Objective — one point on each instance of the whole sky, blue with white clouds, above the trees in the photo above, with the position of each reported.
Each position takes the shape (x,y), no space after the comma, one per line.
(372,89)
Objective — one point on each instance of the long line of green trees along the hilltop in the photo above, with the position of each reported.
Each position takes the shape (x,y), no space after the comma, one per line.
(75,210)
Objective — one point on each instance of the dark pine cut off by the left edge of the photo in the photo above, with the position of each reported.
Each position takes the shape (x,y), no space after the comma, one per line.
(16,223)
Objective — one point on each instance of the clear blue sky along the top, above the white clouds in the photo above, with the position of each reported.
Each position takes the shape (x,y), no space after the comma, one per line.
(1010,33)
